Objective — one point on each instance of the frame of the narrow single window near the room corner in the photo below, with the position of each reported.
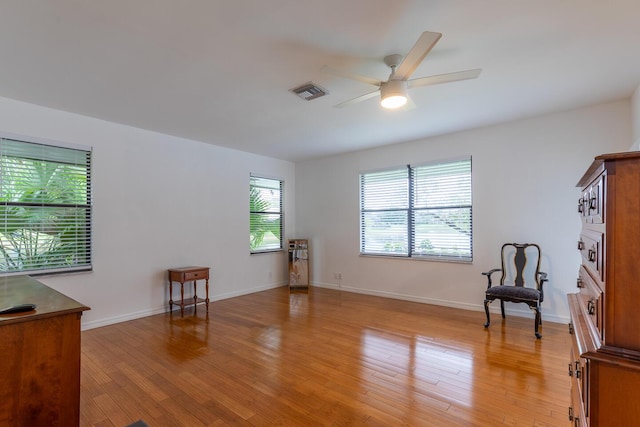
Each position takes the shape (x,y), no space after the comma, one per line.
(270,211)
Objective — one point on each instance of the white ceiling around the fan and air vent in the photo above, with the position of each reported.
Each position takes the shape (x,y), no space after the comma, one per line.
(219,71)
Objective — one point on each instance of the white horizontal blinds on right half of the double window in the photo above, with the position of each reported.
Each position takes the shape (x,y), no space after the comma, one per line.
(442,207)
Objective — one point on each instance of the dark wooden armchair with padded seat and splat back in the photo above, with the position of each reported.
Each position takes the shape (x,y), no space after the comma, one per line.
(521,280)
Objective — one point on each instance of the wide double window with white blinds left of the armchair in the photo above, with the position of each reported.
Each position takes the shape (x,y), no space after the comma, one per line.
(418,212)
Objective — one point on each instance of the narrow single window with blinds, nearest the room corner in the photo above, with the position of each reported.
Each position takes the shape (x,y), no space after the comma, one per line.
(265,222)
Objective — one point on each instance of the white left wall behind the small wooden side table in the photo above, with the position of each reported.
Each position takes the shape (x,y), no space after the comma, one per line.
(159,202)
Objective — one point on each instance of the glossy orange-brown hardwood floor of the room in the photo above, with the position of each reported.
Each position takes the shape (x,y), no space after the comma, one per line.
(324,358)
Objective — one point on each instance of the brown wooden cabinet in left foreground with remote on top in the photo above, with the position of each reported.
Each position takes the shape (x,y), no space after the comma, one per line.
(40,353)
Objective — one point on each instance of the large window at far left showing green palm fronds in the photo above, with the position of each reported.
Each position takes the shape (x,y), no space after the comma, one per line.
(45,208)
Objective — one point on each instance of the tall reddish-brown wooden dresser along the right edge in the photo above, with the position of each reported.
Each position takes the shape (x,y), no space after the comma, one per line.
(604,363)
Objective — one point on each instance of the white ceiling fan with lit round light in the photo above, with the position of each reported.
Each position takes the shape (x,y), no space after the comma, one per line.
(393,92)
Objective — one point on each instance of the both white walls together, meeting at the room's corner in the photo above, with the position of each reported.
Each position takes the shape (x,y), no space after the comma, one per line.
(160,200)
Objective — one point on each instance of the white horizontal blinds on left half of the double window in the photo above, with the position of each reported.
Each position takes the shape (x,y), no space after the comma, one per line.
(384,212)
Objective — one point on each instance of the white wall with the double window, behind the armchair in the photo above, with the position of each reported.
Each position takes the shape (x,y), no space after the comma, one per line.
(524,176)
